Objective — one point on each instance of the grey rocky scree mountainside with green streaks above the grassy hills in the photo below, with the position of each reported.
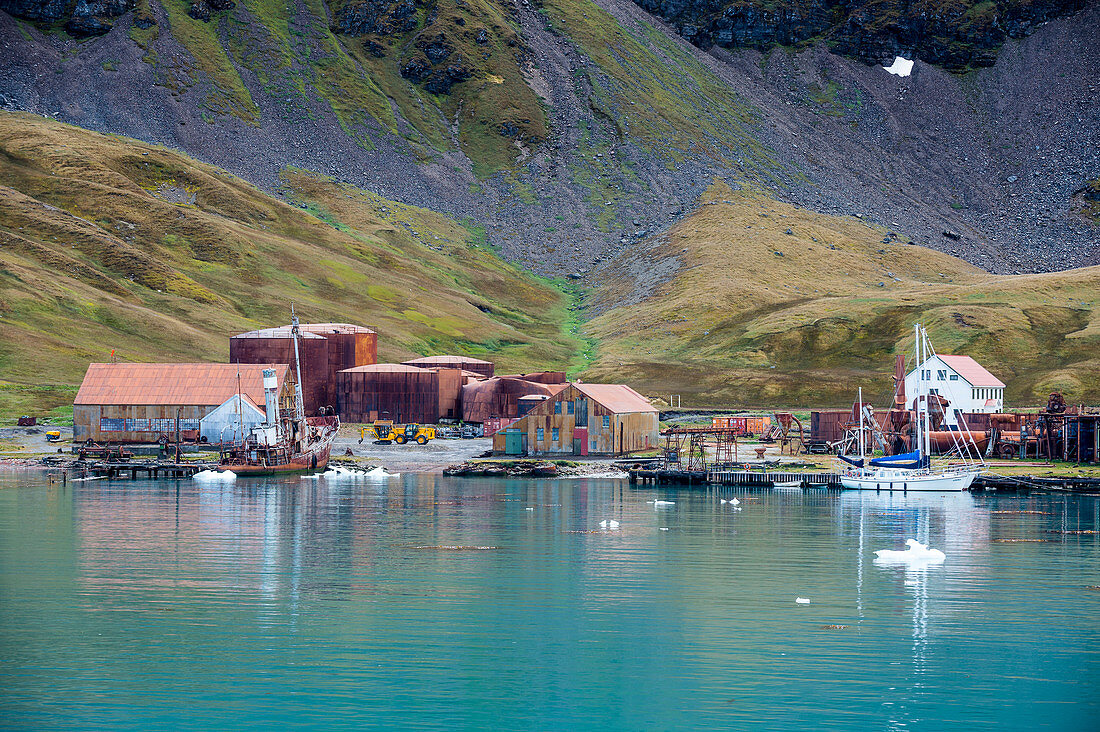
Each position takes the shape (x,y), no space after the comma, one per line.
(573,130)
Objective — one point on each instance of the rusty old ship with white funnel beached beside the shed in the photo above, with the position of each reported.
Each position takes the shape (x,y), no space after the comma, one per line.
(285,443)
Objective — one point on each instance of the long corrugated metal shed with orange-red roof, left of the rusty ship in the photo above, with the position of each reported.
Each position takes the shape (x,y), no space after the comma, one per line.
(139,402)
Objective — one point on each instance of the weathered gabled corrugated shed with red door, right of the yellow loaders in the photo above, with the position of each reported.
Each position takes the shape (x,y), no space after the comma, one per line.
(585,420)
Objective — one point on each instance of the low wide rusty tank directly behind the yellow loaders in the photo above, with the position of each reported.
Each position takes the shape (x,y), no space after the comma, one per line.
(389,391)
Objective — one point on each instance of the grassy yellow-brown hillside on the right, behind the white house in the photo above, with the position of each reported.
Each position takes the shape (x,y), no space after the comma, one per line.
(742,325)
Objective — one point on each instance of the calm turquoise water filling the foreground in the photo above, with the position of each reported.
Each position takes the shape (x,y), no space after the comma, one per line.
(135,605)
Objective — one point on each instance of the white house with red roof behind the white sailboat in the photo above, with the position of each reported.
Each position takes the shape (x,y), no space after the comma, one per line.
(963,381)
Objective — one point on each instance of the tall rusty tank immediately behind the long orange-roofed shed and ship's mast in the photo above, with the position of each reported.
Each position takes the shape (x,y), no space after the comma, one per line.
(277,346)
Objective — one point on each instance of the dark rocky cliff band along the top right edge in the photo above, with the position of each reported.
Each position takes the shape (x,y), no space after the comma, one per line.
(955,35)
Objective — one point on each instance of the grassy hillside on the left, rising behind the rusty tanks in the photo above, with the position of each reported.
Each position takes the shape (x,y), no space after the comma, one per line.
(94,259)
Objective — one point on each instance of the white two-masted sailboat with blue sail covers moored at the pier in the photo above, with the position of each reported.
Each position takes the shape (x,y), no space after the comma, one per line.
(912,472)
